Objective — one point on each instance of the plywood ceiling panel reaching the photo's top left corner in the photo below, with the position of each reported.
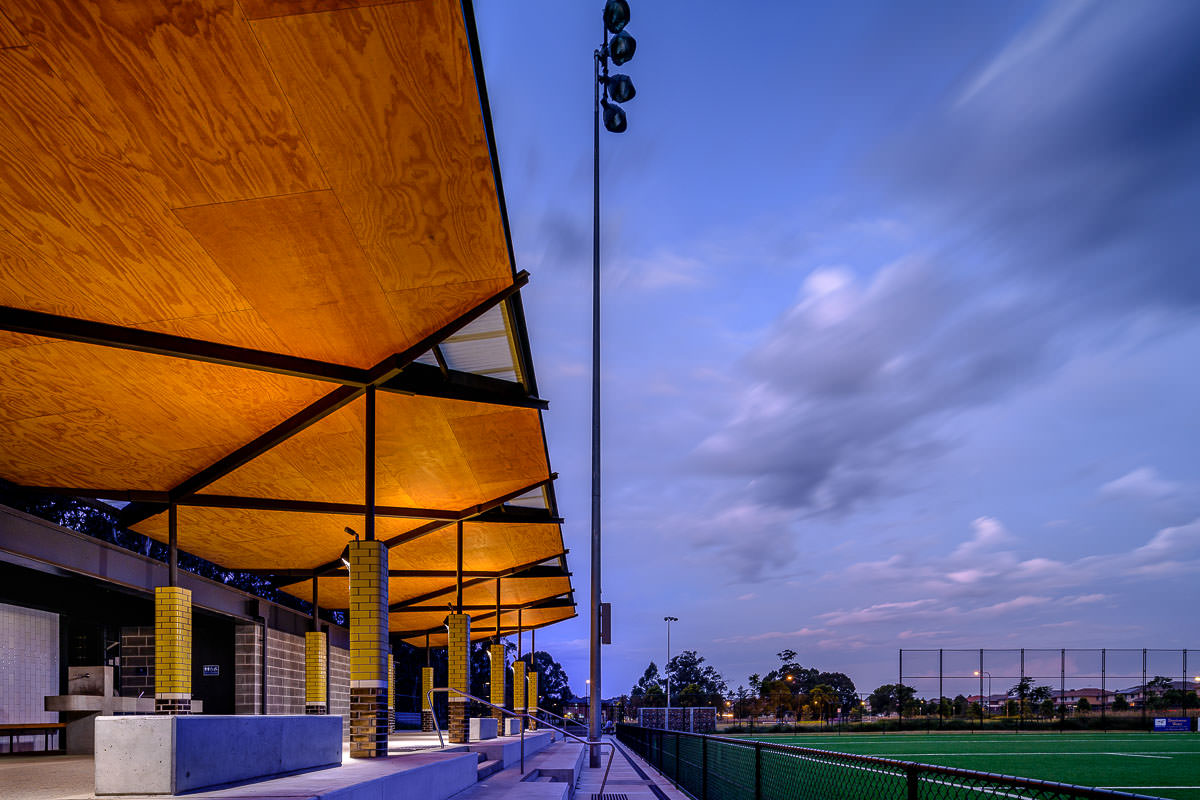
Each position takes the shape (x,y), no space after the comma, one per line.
(184,87)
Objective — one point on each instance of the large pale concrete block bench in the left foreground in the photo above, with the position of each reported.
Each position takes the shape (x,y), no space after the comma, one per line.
(170,755)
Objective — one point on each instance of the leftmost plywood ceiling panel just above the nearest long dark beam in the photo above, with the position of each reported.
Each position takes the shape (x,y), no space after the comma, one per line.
(87,231)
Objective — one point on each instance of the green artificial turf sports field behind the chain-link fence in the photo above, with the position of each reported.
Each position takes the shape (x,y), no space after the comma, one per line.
(1159,765)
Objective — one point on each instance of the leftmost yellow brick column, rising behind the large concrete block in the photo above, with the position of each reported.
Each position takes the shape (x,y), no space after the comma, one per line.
(172,651)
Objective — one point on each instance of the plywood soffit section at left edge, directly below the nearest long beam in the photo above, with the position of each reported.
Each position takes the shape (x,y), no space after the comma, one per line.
(130,420)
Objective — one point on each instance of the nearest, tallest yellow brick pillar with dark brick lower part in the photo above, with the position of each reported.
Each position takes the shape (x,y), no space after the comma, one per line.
(369,649)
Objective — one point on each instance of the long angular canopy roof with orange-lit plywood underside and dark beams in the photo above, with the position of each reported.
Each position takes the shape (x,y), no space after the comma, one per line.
(223,225)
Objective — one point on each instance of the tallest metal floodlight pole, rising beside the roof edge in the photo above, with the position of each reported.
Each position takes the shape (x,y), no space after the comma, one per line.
(595,694)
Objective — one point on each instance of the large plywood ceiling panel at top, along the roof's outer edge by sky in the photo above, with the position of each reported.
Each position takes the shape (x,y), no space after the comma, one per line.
(387,98)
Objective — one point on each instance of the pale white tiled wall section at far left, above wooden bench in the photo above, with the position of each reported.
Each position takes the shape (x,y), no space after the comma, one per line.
(29,670)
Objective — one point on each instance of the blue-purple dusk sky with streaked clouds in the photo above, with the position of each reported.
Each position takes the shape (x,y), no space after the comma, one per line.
(901,329)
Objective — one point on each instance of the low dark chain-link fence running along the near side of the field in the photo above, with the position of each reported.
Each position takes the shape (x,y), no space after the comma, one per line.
(718,768)
